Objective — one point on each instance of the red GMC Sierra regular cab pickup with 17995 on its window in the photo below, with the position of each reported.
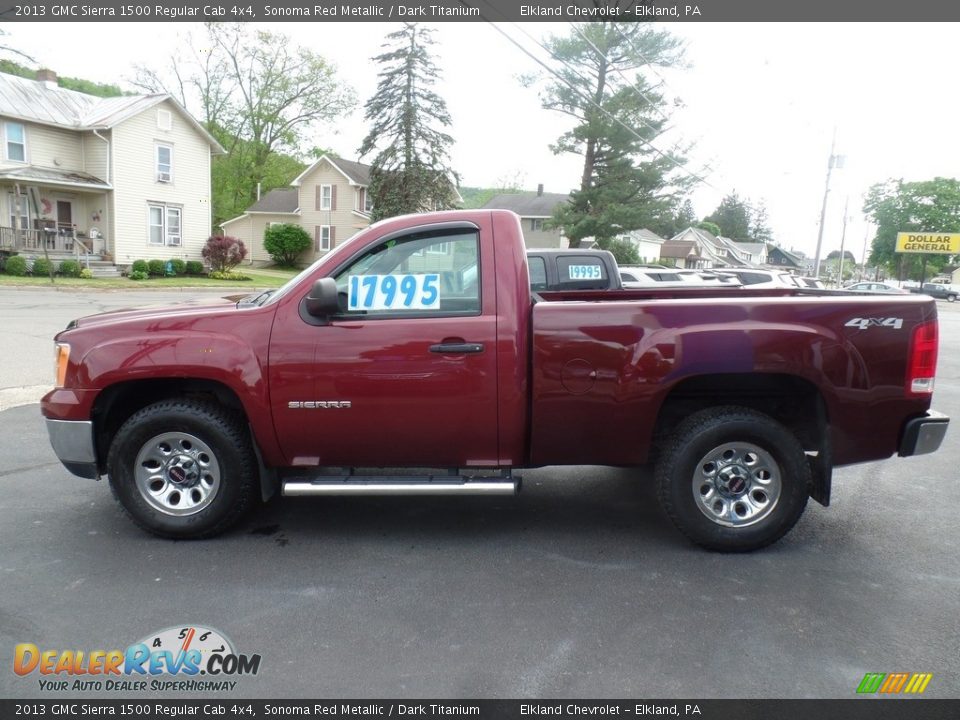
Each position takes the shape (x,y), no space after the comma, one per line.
(418,344)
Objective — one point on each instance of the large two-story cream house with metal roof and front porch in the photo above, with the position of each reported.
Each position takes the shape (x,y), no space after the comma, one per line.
(124,178)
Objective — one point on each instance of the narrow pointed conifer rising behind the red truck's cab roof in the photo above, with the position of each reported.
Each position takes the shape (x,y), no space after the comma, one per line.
(411,171)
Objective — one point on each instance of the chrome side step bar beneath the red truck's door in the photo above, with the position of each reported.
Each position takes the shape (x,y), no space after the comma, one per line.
(400,485)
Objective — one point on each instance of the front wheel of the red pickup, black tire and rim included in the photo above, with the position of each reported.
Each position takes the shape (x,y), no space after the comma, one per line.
(197,472)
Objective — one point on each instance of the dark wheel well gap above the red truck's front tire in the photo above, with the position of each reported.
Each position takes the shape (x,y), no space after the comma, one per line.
(118,402)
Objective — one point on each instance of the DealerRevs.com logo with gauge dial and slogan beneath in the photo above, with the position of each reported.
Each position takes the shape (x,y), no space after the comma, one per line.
(188,658)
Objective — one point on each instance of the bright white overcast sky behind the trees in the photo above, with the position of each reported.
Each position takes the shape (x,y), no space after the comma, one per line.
(758,104)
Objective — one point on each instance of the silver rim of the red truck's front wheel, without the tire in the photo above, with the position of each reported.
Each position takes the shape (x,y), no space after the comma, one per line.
(177,473)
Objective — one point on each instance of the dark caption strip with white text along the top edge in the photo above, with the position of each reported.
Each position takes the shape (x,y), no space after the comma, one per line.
(477,10)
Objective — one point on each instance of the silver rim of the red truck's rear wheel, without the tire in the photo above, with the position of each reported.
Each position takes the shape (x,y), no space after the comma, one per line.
(737,484)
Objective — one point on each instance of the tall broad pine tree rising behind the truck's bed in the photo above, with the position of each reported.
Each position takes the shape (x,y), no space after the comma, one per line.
(626,183)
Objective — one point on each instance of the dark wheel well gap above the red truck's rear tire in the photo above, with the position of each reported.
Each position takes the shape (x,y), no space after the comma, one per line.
(791,400)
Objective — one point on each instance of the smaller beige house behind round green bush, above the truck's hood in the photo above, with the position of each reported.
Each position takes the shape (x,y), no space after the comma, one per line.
(329,200)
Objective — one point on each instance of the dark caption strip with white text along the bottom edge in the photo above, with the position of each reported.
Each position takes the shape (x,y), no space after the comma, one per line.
(863,709)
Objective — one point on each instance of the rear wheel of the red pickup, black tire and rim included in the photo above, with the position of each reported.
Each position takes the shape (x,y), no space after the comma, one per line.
(732,479)
